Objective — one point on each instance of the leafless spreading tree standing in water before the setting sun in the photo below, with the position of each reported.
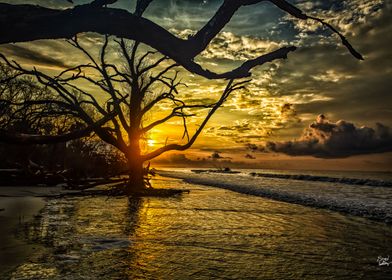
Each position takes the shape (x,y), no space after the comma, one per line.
(127,94)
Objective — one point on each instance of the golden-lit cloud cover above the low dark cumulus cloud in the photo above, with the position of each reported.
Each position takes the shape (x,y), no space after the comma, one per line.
(320,76)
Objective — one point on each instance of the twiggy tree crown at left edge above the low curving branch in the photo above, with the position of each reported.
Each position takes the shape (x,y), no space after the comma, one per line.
(23,110)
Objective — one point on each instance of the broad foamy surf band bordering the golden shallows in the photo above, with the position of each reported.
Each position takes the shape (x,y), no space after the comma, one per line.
(368,202)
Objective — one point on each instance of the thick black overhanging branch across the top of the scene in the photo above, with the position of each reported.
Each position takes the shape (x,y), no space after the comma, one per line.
(27,22)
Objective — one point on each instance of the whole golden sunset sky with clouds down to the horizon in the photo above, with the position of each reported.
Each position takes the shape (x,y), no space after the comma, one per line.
(319,109)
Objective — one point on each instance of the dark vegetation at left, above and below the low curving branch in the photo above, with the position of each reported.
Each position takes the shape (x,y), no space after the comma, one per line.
(50,164)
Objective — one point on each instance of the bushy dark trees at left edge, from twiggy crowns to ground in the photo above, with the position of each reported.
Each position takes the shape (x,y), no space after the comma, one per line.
(25,113)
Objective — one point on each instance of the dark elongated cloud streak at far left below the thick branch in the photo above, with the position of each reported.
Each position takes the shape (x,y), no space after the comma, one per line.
(33,56)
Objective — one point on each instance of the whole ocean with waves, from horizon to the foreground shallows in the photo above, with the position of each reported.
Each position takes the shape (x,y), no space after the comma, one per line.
(366,194)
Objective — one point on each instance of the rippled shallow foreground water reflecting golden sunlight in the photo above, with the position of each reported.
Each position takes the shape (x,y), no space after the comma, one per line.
(209,233)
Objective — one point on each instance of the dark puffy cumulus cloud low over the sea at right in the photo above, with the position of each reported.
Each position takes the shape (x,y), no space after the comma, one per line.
(326,139)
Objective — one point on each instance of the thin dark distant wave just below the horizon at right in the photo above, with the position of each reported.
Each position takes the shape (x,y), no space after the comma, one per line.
(343,180)
